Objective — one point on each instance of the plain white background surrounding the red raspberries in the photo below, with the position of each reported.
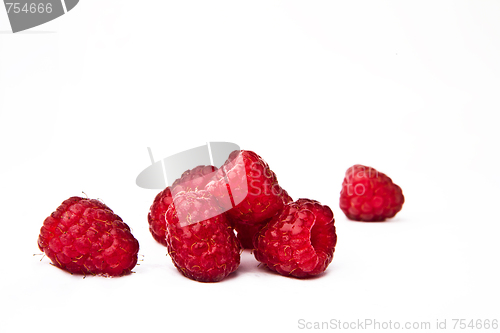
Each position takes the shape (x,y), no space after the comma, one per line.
(314,87)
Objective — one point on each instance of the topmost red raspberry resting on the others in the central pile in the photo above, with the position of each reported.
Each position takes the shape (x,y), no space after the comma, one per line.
(247,188)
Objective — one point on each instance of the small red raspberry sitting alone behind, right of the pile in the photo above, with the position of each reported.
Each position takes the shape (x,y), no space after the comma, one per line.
(369,195)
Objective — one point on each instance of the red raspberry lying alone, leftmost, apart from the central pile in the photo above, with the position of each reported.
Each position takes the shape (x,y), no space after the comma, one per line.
(85,236)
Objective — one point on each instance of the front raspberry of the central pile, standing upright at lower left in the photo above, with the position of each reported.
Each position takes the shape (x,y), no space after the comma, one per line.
(200,240)
